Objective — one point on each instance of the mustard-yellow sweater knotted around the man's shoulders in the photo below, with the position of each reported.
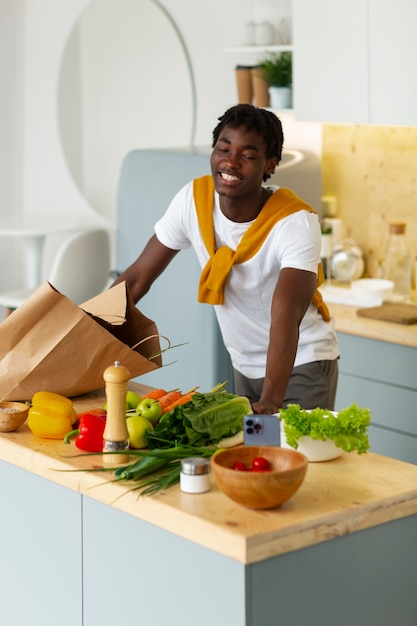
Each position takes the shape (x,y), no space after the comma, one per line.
(280,204)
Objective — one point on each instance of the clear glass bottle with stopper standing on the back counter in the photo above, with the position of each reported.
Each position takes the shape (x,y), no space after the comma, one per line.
(397,262)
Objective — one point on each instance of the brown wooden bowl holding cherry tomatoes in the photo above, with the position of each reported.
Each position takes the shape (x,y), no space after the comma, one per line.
(259,490)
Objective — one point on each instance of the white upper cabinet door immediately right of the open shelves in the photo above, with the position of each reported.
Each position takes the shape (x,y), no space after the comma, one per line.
(331,60)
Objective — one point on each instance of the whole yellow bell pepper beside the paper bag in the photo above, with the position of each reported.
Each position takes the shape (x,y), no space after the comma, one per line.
(51,415)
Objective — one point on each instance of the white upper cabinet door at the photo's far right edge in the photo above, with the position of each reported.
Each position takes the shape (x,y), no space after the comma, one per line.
(393,53)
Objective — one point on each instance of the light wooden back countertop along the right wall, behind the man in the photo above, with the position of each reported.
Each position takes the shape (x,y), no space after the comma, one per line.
(347,321)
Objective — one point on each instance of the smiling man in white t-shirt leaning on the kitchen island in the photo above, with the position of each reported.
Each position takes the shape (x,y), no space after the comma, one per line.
(259,249)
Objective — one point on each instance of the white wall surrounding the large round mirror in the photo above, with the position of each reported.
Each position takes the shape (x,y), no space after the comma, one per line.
(32,38)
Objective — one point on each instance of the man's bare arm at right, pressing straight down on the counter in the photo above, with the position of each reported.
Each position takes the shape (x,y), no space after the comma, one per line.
(292,296)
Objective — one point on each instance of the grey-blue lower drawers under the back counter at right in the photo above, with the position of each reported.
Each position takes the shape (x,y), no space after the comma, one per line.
(383,377)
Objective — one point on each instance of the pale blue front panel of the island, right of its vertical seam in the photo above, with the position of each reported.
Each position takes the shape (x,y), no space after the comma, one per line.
(137,574)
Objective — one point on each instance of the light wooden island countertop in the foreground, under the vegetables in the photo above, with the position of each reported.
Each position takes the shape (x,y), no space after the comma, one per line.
(338,497)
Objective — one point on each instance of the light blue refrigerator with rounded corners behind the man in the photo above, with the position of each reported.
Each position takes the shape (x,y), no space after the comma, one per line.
(148,181)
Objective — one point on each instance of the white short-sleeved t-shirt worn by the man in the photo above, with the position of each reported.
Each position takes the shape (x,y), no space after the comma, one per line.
(245,316)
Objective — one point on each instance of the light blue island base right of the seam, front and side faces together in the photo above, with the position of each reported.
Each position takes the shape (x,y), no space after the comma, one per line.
(138,574)
